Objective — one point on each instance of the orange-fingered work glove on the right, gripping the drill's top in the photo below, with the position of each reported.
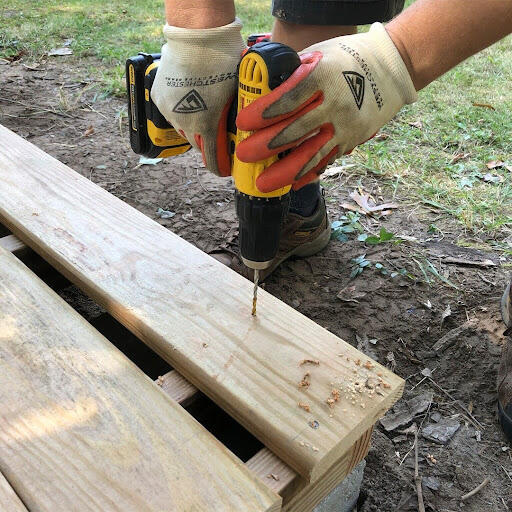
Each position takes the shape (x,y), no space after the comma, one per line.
(345,89)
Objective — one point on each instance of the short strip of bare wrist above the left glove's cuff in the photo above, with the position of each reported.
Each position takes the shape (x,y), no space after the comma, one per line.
(199,13)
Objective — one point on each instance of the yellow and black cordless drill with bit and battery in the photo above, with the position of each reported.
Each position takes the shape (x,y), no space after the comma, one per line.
(263,67)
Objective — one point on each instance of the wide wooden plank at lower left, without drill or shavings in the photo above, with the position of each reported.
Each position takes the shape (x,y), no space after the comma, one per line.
(82,428)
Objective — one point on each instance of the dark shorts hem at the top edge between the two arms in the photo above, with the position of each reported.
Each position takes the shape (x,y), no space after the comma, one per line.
(336,12)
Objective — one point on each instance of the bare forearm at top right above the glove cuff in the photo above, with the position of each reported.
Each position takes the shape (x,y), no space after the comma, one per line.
(433,36)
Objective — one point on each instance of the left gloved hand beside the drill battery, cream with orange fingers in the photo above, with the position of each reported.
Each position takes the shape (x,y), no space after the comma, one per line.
(195,84)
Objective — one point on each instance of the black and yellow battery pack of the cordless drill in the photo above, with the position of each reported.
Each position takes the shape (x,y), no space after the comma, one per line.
(150,133)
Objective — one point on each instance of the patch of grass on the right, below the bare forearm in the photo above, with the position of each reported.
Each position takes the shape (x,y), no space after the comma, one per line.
(442,162)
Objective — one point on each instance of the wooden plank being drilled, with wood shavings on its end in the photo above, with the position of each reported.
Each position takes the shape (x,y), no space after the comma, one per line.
(193,311)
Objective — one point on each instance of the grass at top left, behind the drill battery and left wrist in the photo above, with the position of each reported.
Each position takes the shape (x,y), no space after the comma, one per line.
(109,31)
